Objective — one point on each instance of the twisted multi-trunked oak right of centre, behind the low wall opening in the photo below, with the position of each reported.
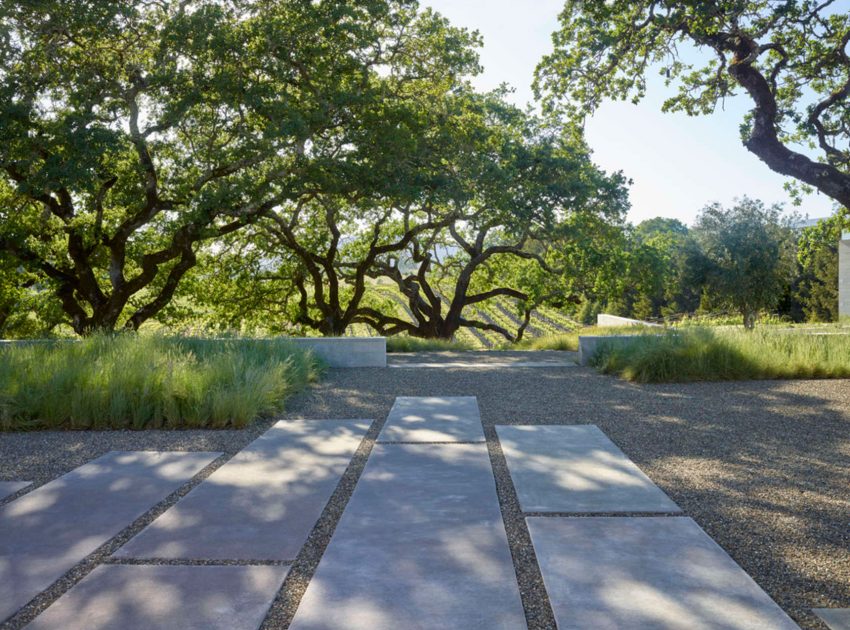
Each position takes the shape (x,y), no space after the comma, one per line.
(525,185)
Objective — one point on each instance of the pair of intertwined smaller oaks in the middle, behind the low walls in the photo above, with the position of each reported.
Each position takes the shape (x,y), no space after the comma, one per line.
(484,205)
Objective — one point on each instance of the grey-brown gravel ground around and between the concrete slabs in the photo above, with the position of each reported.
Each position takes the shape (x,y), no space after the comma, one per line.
(762,466)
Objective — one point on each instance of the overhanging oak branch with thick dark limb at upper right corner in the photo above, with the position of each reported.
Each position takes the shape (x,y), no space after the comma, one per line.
(789,56)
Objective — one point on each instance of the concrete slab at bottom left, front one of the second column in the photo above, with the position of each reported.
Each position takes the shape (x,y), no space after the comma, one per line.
(146,597)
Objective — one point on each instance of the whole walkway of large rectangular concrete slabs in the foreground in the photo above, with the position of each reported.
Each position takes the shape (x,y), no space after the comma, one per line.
(422,542)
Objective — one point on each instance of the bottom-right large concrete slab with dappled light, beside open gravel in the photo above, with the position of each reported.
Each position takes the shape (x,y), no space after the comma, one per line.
(615,573)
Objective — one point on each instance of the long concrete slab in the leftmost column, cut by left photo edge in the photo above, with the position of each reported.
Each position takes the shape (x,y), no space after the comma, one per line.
(46,532)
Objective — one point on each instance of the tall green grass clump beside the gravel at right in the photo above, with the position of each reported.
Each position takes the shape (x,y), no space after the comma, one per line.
(703,354)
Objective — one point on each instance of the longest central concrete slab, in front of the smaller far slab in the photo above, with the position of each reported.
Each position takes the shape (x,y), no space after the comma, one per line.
(421,544)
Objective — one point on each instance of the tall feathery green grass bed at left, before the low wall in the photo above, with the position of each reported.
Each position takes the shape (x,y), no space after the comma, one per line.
(148,382)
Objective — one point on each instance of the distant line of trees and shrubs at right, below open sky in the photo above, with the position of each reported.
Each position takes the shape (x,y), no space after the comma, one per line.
(747,260)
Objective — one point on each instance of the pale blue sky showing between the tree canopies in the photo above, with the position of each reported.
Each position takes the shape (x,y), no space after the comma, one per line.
(678,163)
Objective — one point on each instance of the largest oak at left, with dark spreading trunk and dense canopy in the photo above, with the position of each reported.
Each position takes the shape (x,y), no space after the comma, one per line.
(134,131)
